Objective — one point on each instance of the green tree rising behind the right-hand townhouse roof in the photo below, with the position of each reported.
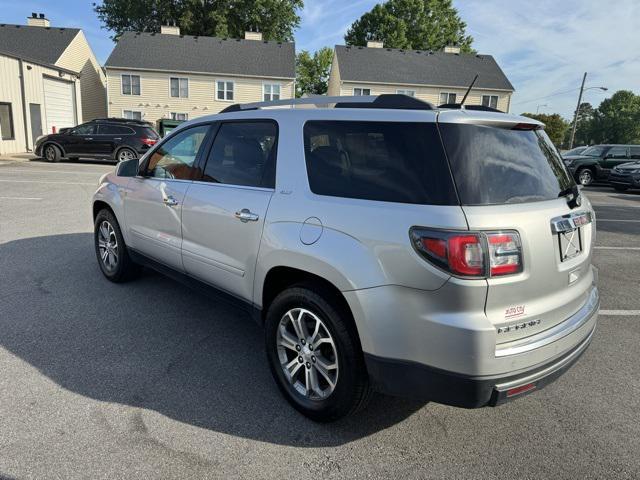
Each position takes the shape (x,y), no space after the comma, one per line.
(411,24)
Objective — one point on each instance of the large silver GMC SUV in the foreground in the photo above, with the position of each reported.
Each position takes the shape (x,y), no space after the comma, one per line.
(384,244)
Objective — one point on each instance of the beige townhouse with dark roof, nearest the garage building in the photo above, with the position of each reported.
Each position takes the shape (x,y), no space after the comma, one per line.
(152,76)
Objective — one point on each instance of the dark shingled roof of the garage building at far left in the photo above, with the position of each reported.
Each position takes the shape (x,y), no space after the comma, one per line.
(40,44)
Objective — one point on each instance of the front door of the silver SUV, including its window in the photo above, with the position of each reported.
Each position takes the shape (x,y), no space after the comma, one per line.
(153,201)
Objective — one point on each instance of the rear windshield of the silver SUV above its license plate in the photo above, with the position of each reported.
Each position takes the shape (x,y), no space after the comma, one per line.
(496,166)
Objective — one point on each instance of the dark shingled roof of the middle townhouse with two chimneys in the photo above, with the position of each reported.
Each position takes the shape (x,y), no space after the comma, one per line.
(184,53)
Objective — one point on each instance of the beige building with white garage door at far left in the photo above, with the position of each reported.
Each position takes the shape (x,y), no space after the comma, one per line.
(49,79)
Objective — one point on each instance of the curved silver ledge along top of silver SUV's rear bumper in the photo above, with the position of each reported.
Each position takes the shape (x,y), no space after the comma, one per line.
(554,333)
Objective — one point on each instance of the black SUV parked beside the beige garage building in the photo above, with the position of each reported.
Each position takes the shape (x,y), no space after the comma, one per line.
(115,139)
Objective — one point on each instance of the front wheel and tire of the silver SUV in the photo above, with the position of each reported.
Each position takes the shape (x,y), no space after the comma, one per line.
(111,251)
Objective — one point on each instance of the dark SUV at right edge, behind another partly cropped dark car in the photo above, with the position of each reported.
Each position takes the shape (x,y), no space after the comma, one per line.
(596,162)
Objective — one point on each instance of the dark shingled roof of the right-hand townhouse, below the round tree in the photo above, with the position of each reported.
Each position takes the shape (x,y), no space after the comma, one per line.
(389,65)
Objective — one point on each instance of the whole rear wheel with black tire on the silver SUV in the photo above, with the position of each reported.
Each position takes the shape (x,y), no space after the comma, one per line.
(331,346)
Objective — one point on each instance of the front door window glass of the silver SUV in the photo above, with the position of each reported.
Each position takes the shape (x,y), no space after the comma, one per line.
(175,158)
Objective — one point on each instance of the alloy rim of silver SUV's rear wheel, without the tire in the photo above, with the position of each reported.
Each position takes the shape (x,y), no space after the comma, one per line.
(308,354)
